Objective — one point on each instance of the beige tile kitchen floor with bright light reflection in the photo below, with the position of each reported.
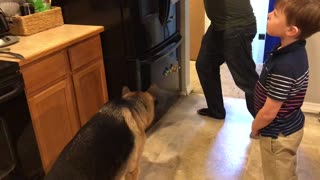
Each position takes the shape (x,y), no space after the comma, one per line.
(186,146)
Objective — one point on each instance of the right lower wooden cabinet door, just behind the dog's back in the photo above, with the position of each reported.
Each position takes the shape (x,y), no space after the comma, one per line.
(90,89)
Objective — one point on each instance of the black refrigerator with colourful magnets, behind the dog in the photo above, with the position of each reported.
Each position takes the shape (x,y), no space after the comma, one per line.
(139,43)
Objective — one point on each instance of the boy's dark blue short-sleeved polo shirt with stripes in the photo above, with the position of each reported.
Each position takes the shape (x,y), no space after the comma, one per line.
(284,78)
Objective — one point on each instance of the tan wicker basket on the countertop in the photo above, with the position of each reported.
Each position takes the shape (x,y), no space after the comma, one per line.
(34,23)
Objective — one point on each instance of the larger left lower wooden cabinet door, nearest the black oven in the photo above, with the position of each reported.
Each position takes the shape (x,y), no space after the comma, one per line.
(55,120)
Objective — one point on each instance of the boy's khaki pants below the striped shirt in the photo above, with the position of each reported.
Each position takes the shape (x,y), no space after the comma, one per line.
(279,158)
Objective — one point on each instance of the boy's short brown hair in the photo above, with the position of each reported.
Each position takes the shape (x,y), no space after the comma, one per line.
(304,14)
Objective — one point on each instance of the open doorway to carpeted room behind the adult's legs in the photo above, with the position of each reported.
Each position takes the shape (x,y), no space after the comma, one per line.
(198,25)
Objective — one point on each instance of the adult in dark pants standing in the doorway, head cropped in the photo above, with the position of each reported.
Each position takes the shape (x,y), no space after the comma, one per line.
(228,39)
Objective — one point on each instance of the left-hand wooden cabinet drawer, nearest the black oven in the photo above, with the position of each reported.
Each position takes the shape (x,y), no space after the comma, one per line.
(45,72)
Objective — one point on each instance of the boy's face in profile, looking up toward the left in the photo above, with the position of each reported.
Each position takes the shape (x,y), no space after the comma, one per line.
(277,23)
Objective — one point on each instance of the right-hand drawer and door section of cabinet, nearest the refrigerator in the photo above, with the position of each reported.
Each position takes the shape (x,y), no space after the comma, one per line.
(89,81)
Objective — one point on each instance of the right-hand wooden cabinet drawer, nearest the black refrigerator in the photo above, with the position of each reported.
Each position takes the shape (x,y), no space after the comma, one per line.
(84,52)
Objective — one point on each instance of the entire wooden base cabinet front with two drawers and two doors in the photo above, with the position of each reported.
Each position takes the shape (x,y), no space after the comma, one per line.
(64,89)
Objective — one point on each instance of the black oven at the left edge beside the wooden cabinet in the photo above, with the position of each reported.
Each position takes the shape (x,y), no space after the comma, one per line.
(19,153)
